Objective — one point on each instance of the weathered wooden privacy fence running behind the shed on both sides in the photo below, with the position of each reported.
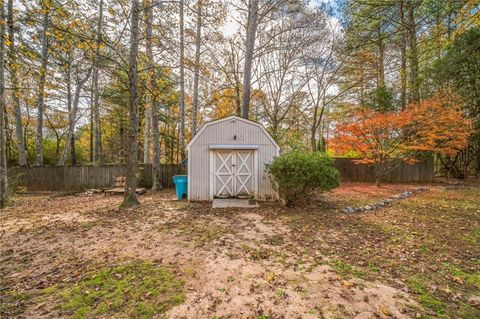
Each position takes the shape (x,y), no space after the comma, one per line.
(67,178)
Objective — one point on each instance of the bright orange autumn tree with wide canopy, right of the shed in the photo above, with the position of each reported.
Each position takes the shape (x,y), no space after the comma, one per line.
(434,126)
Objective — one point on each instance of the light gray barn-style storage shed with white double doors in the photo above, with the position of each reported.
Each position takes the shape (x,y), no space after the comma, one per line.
(227,157)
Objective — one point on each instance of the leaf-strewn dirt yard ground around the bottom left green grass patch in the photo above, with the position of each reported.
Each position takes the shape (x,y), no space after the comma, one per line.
(417,258)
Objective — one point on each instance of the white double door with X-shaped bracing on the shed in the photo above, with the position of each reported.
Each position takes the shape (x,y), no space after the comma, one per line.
(234,173)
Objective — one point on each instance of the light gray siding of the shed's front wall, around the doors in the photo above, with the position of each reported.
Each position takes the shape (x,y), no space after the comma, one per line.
(223,133)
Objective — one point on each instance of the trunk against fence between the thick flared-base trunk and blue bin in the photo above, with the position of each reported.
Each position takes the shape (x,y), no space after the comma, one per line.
(152,86)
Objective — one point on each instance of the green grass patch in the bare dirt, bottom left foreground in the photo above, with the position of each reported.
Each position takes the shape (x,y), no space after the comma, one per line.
(137,289)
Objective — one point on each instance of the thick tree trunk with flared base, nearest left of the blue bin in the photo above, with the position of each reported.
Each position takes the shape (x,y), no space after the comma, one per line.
(130,198)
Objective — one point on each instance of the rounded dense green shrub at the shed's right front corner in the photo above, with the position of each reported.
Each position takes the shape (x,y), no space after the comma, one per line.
(296,174)
